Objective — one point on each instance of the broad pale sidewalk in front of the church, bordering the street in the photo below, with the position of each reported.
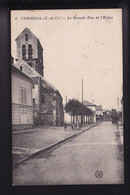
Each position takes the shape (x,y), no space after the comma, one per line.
(29,142)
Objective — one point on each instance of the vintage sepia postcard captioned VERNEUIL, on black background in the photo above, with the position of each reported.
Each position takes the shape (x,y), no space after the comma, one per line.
(67,97)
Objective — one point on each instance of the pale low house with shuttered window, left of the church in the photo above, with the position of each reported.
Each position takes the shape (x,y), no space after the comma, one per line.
(22,105)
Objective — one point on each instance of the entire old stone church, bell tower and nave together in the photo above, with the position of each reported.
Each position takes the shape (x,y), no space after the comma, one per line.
(47,101)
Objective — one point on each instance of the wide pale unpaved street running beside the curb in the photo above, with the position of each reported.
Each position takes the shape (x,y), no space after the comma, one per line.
(94,157)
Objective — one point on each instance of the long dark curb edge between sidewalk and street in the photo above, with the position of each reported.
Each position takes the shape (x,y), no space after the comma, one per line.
(45,149)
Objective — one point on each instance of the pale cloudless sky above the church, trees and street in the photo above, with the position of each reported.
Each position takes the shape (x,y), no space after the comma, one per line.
(78,44)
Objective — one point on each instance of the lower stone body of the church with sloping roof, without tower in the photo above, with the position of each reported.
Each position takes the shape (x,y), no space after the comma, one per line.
(47,101)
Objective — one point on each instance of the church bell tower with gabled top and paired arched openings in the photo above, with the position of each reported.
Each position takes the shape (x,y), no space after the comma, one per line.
(28,48)
